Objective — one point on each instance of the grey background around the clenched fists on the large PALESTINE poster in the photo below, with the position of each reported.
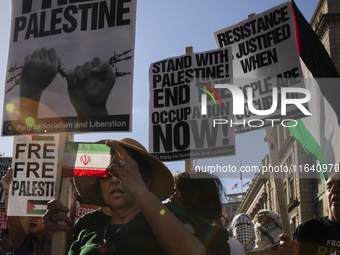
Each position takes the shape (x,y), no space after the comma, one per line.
(73,49)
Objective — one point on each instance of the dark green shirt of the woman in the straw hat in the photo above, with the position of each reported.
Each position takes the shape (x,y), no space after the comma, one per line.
(135,237)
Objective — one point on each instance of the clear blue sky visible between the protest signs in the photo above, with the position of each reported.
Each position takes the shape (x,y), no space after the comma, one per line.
(163,30)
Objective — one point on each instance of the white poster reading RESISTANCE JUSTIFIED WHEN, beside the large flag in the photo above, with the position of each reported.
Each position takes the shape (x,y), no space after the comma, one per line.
(263,49)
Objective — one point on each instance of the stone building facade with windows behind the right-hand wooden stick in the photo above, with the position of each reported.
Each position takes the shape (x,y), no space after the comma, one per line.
(304,193)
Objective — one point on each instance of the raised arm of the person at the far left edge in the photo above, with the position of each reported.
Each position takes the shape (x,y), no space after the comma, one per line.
(16,231)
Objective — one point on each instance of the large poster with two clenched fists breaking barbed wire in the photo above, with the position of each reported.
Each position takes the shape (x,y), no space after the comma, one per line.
(70,67)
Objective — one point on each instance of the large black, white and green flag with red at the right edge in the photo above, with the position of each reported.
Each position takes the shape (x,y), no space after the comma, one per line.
(320,133)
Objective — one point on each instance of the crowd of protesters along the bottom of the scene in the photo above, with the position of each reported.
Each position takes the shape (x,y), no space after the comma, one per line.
(132,219)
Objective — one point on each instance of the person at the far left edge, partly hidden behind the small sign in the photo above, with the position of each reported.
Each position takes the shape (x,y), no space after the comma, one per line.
(22,243)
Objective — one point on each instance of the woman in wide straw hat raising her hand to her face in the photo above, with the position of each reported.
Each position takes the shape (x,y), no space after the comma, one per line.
(136,184)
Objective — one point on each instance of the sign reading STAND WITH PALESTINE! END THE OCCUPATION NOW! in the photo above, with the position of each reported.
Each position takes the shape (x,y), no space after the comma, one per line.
(183,108)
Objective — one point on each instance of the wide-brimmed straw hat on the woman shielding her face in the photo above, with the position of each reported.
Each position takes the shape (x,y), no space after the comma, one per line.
(162,182)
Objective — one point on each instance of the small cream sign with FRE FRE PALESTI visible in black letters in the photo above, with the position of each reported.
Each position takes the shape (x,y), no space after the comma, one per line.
(34,174)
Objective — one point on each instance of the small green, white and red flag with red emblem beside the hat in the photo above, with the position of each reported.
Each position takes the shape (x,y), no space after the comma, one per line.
(86,159)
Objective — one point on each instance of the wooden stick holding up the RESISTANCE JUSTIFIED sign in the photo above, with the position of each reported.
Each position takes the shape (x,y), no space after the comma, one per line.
(274,159)
